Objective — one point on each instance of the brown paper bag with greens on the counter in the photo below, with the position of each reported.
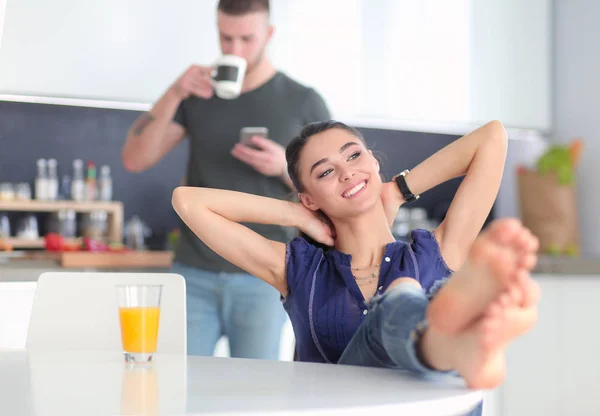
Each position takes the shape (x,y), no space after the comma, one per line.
(549,210)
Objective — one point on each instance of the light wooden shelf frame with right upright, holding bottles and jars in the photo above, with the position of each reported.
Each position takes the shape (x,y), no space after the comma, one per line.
(114,210)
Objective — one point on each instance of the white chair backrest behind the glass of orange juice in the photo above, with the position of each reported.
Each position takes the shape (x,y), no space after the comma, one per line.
(79,311)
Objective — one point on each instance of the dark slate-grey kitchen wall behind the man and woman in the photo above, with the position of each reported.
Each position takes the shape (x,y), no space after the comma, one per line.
(32,131)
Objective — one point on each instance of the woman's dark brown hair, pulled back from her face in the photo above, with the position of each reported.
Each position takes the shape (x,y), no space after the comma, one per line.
(293,153)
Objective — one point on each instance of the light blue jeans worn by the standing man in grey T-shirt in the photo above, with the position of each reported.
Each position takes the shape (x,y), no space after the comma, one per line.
(242,307)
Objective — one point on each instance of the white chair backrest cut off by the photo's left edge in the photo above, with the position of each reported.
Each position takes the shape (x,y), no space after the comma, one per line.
(16,300)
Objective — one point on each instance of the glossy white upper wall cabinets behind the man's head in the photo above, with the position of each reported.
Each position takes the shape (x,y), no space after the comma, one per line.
(375,61)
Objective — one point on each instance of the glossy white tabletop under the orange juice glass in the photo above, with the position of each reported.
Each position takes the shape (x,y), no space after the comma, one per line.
(100,383)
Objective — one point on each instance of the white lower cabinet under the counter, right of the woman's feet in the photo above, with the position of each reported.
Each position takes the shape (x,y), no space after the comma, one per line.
(553,370)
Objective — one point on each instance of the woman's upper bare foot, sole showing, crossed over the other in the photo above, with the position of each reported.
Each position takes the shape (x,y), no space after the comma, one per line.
(504,251)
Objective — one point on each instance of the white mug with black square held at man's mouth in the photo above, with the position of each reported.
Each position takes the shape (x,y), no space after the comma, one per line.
(228,76)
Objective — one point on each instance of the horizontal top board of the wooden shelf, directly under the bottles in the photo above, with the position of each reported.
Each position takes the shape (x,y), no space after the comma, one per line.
(53,206)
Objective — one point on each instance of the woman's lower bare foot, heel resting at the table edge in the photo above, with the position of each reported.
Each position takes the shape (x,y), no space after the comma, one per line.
(477,353)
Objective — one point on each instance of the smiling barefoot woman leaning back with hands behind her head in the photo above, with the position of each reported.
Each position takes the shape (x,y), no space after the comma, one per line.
(344,204)
